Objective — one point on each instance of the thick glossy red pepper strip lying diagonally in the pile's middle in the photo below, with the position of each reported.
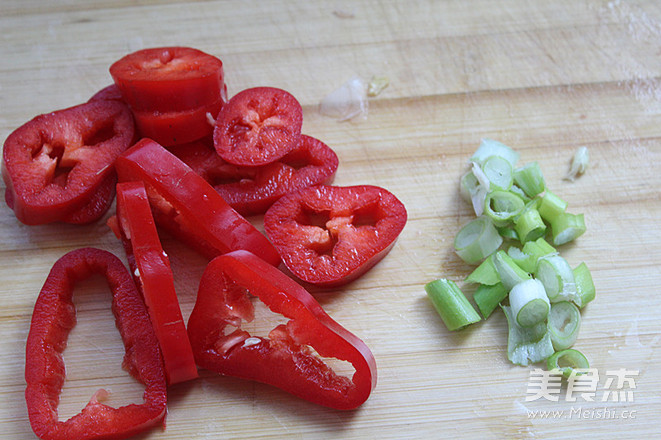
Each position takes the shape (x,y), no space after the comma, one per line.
(185,204)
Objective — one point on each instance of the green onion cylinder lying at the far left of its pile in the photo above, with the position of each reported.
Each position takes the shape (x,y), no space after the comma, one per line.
(451,304)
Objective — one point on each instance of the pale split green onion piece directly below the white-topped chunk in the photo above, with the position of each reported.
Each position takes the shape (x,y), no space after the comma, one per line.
(526,345)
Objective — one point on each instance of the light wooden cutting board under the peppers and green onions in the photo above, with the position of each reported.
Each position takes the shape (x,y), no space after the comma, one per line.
(543,77)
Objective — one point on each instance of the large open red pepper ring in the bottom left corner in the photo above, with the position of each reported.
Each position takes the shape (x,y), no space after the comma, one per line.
(54,316)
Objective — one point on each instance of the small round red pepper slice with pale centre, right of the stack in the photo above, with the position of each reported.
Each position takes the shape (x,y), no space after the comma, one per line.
(258,126)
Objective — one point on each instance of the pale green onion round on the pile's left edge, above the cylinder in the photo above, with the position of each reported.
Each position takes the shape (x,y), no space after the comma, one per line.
(477,240)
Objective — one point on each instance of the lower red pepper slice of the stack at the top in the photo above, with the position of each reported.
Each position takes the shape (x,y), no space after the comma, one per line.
(177,127)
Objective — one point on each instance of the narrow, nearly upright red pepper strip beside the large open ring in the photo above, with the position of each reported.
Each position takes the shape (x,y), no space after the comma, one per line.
(153,277)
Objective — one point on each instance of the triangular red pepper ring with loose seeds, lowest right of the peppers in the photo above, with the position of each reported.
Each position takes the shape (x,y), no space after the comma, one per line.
(286,357)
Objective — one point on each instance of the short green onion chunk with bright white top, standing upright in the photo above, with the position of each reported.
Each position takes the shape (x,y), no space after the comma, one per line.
(529,303)
